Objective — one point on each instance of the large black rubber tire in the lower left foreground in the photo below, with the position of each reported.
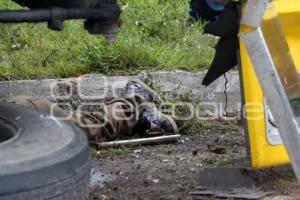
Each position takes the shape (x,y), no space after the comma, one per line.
(40,157)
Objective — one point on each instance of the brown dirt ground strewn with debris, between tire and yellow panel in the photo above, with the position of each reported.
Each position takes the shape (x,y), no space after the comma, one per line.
(171,171)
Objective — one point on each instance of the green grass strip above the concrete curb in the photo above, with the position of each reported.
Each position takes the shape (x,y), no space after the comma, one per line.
(155,35)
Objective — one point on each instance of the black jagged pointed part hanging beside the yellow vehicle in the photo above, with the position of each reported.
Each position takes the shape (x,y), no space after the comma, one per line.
(224,24)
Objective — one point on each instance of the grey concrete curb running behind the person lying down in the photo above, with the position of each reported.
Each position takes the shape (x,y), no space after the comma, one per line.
(96,87)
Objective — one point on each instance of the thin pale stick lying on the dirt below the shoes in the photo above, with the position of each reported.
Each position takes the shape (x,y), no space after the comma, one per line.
(151,140)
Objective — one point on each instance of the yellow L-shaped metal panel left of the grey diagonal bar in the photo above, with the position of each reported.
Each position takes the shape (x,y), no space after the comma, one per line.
(262,153)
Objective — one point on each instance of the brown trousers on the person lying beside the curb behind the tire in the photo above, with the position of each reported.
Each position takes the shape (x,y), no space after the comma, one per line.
(115,121)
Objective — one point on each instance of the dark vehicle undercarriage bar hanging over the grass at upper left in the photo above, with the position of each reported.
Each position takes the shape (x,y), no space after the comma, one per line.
(102,16)
